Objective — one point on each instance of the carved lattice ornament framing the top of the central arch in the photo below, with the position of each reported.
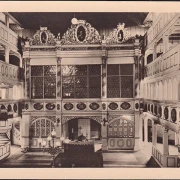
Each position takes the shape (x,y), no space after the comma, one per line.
(95,118)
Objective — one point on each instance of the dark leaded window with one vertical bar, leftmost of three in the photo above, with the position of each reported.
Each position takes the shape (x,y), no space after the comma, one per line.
(43,82)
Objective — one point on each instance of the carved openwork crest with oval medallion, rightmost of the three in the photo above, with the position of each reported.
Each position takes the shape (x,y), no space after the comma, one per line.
(118,35)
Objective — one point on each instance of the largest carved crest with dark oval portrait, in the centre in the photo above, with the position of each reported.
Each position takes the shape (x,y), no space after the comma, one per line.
(81,33)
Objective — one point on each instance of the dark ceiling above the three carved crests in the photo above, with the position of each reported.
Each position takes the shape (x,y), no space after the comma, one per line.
(60,22)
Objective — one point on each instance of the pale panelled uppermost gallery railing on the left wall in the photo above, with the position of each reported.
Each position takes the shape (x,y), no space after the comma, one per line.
(8,37)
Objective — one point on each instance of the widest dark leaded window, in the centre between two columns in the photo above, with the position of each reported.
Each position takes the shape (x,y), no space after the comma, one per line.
(81,81)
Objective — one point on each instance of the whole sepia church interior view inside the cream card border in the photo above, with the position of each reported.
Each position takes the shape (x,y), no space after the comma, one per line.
(89,89)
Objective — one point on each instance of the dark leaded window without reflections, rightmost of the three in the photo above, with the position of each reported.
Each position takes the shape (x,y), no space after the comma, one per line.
(120,81)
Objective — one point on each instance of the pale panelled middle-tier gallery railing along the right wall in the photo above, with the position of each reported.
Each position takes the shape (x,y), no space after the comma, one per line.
(164,63)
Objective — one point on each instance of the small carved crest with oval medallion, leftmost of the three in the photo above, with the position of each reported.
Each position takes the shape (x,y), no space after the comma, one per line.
(43,37)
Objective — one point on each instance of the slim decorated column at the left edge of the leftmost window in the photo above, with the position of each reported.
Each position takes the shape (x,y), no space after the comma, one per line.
(27,78)
